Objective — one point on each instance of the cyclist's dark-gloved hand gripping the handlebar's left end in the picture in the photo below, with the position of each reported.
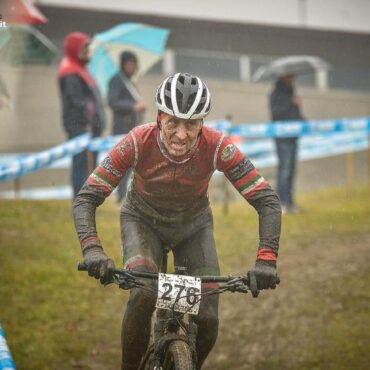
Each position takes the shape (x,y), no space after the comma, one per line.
(98,264)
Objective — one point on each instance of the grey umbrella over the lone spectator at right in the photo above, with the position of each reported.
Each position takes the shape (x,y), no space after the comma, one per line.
(290,65)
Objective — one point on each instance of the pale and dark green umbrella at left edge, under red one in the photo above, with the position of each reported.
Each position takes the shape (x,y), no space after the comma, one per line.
(23,44)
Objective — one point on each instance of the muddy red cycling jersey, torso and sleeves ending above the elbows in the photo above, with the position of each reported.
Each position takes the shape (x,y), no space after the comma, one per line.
(174,183)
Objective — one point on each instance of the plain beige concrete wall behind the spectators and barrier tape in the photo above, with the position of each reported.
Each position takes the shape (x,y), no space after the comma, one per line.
(35,121)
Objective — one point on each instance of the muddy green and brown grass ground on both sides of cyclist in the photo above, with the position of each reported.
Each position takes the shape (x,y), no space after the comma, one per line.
(55,317)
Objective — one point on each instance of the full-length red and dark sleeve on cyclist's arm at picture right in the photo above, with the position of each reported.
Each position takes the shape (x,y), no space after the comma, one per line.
(257,191)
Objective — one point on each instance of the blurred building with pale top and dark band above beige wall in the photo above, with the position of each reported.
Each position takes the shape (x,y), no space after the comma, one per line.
(229,39)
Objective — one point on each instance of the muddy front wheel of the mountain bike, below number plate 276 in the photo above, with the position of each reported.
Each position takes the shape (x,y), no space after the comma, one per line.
(178,356)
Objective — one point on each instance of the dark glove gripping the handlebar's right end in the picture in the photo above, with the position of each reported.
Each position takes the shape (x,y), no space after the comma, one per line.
(262,276)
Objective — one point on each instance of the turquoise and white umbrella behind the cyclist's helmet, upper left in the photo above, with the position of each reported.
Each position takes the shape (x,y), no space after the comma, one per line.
(146,41)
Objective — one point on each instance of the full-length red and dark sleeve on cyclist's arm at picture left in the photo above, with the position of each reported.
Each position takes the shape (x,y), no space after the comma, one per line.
(100,185)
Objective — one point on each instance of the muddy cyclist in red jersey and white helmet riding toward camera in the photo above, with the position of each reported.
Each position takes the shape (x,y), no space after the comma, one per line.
(167,206)
